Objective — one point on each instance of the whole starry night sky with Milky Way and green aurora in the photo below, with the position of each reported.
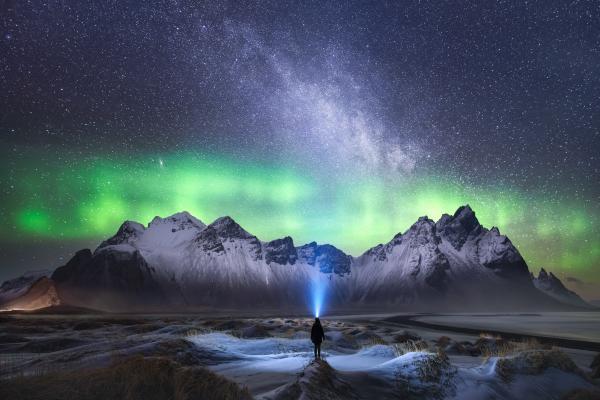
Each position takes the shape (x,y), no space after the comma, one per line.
(340,122)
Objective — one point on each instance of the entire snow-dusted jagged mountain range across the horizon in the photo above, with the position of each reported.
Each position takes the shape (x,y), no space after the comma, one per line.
(180,263)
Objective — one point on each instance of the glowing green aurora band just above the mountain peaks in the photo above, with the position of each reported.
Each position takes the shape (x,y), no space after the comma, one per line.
(89,197)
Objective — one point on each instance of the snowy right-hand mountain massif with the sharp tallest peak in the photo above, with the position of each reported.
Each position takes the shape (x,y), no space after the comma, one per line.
(455,259)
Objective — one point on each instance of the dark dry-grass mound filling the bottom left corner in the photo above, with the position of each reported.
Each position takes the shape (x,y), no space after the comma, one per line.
(134,378)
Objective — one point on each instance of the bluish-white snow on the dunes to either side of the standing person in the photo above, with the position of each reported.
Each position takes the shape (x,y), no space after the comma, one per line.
(277,361)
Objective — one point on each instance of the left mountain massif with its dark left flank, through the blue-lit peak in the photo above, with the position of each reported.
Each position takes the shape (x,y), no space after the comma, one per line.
(180,261)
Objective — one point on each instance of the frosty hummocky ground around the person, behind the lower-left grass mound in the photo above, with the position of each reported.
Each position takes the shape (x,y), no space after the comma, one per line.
(363,357)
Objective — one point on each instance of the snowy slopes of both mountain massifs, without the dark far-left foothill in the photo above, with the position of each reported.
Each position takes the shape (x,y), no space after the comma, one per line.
(224,265)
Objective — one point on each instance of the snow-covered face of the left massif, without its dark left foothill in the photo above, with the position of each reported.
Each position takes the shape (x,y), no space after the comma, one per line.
(222,264)
